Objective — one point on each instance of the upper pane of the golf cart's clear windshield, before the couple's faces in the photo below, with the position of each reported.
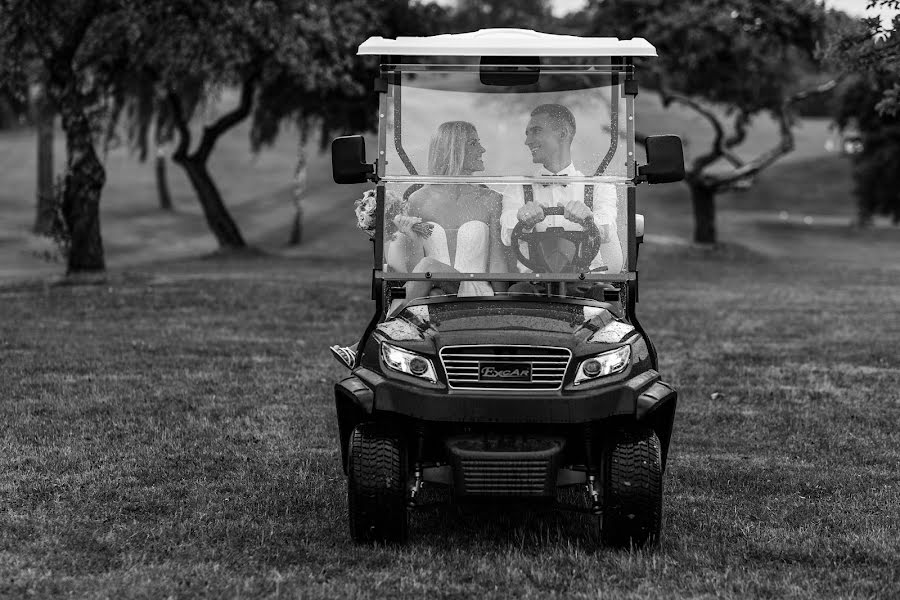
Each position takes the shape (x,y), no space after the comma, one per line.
(437,106)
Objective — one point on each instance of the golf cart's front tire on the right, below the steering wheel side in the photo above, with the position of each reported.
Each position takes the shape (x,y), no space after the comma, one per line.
(632,489)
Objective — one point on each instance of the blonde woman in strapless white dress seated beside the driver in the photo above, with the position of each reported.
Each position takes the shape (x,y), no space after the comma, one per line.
(464,219)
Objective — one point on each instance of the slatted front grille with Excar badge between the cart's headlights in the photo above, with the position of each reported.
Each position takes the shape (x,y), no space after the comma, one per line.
(502,367)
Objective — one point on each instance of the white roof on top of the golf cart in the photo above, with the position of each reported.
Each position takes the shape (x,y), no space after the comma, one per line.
(506,42)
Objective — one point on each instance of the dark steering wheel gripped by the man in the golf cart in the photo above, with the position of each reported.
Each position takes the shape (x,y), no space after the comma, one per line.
(557,250)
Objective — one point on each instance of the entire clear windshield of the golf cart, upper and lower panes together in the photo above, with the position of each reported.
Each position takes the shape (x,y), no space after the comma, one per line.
(464,158)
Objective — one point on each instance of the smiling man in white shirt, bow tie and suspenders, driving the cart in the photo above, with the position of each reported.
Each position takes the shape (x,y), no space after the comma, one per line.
(548,135)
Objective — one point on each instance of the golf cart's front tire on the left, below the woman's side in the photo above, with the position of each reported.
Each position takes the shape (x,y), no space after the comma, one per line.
(377,476)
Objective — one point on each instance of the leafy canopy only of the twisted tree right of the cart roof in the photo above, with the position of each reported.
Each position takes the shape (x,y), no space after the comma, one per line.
(740,54)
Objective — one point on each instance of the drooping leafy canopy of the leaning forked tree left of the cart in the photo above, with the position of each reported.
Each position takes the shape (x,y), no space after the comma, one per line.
(299,56)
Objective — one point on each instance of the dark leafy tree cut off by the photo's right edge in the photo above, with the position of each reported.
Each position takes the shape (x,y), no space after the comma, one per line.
(870,54)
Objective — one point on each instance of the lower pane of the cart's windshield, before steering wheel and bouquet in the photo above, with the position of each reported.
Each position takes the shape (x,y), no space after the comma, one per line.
(475,230)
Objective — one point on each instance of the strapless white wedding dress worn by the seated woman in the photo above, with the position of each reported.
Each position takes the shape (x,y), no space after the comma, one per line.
(471,255)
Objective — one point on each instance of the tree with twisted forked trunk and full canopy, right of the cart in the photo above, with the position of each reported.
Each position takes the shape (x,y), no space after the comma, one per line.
(741,57)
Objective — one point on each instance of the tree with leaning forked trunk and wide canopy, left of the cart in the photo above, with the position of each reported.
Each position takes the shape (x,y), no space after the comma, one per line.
(290,60)
